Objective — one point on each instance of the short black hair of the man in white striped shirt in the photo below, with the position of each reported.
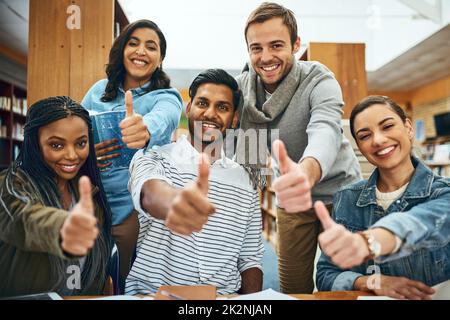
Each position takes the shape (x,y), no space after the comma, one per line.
(217,76)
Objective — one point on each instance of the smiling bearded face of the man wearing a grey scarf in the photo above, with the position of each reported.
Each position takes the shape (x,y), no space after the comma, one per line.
(271,52)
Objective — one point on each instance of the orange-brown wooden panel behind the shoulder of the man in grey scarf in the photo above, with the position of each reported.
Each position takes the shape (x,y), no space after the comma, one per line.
(348,63)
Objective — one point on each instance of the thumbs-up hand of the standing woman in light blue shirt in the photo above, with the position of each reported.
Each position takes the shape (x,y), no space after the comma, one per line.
(134,131)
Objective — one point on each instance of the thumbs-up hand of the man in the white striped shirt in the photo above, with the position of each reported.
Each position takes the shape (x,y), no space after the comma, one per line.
(191,208)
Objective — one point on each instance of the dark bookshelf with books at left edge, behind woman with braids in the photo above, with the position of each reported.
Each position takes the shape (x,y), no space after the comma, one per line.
(13,107)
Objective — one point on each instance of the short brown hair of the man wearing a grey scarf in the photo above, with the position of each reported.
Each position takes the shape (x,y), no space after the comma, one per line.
(270,10)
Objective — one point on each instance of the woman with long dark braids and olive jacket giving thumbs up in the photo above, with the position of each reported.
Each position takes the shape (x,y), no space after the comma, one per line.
(54,218)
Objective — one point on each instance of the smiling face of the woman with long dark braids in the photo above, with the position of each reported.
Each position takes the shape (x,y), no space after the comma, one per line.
(65,146)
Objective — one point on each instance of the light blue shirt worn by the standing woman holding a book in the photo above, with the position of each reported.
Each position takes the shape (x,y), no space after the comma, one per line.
(161,110)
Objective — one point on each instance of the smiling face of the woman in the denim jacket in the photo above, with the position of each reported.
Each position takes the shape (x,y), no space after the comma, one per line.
(383,138)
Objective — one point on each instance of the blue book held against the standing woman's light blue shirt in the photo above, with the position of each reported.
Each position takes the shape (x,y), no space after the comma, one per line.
(105,127)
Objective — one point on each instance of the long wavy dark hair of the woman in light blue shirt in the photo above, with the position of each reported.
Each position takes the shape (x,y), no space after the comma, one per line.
(115,69)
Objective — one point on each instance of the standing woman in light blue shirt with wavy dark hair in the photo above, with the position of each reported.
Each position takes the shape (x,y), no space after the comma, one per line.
(153,113)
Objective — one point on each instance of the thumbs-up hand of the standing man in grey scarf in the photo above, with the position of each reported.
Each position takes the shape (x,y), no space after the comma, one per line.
(292,188)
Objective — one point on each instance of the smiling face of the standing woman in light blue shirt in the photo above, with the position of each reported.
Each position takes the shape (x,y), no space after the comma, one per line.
(141,57)
